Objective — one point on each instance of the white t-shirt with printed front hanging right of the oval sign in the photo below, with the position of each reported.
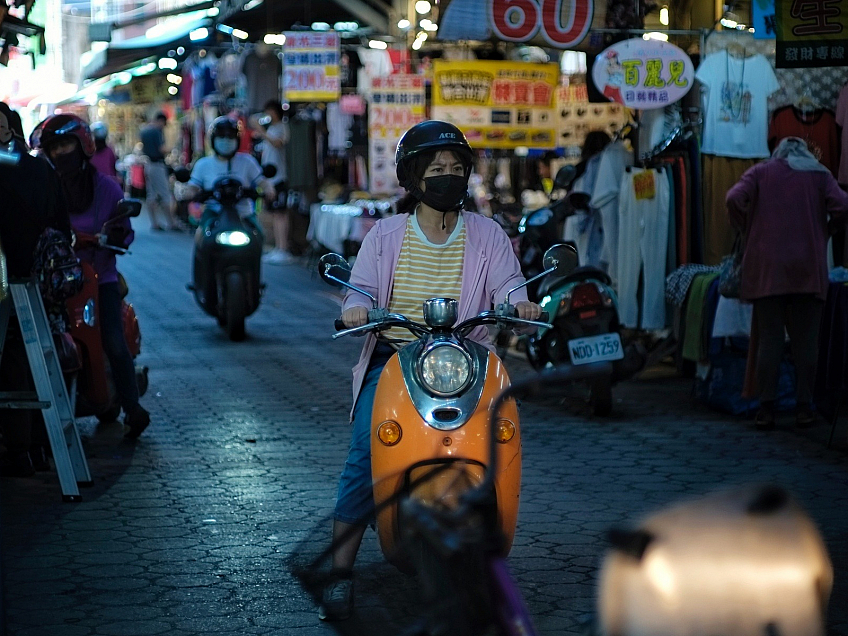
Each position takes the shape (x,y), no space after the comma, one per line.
(736,105)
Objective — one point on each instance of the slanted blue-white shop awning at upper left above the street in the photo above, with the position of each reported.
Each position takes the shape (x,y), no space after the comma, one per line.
(120,56)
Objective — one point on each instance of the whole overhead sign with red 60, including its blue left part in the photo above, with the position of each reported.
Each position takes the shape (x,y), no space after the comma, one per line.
(561,24)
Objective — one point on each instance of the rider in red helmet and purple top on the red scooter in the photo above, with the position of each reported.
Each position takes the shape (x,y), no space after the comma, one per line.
(92,198)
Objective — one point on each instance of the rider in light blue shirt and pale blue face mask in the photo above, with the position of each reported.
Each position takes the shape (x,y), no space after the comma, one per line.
(225,138)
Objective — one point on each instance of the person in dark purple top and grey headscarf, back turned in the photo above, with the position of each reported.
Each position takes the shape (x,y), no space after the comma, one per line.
(785,208)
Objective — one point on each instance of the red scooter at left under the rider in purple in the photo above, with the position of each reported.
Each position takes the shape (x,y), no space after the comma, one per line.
(93,389)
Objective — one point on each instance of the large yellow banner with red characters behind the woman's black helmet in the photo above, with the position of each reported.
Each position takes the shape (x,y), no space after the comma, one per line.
(497,104)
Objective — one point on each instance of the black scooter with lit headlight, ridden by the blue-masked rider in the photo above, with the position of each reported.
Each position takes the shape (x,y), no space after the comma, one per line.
(227,255)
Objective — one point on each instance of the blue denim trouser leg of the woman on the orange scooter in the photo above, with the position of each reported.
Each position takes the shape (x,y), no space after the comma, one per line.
(355,501)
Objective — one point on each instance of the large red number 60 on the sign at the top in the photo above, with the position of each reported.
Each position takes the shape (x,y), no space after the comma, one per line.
(522,20)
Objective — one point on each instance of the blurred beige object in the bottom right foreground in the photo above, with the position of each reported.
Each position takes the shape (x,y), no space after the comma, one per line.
(744,562)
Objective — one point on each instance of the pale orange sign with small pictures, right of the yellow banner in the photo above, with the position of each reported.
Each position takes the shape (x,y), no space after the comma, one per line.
(576,117)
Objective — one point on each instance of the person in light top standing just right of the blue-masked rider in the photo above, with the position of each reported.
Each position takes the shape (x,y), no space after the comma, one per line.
(274,140)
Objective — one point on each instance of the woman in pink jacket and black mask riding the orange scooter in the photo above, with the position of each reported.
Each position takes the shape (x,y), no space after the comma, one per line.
(426,250)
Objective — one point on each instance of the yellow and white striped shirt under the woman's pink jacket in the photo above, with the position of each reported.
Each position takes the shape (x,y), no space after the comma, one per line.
(425,270)
